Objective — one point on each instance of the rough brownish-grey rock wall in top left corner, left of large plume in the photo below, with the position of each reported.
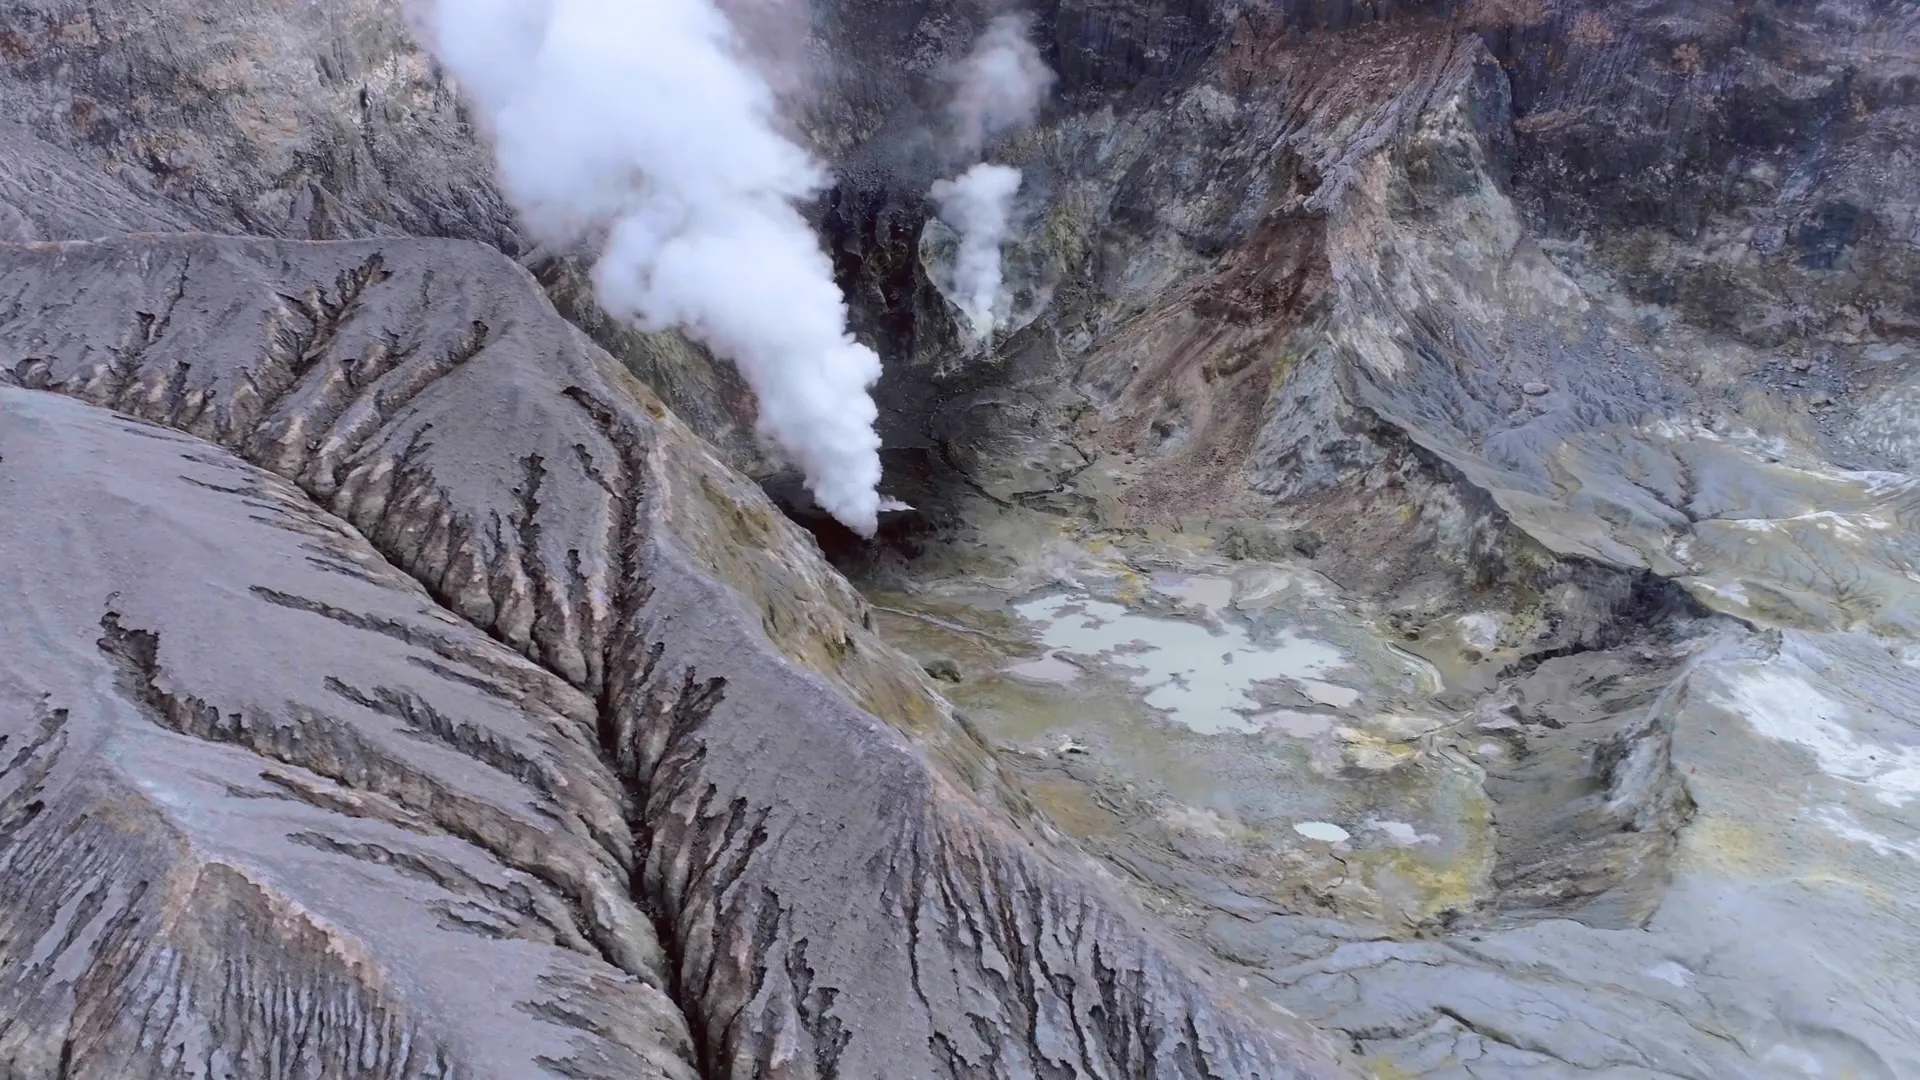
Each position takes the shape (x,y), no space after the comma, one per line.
(300,120)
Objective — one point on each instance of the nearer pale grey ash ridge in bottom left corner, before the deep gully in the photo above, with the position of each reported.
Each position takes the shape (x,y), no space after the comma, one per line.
(272,812)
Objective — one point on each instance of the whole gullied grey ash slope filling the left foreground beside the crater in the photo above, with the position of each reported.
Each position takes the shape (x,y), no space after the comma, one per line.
(827,852)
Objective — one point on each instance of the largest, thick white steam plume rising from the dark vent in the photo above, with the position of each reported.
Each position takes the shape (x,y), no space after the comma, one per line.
(638,122)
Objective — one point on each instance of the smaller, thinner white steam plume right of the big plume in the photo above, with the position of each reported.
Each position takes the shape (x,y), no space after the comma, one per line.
(1001,87)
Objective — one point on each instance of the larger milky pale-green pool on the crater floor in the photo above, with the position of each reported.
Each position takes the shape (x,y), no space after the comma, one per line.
(1201,675)
